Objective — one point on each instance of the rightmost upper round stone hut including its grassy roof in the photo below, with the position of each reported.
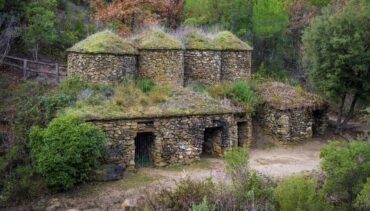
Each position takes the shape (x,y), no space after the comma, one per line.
(235,57)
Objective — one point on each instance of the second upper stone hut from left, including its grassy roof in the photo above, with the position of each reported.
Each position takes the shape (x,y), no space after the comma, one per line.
(161,57)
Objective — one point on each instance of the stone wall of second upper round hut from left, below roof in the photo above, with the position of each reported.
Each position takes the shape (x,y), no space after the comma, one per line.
(162,66)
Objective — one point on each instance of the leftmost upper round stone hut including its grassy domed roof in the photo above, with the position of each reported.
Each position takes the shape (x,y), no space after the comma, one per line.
(103,57)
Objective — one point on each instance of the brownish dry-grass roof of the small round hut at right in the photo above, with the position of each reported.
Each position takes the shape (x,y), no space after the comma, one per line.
(283,96)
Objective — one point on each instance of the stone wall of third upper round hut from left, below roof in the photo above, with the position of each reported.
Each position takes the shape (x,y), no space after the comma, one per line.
(202,66)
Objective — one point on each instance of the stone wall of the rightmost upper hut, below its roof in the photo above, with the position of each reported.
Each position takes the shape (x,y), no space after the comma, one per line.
(236,65)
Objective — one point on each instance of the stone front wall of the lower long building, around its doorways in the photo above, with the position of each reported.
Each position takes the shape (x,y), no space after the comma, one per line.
(177,139)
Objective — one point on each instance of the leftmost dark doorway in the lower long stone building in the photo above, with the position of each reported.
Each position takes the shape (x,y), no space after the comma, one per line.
(144,149)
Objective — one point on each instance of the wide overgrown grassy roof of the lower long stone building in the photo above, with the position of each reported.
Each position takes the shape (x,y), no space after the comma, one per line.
(143,99)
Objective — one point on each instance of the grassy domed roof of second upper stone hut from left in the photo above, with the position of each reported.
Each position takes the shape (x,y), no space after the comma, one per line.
(156,39)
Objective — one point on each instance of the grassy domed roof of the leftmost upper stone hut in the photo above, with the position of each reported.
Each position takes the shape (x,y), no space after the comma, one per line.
(104,42)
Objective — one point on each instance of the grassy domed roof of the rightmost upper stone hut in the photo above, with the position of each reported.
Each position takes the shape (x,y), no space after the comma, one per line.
(228,41)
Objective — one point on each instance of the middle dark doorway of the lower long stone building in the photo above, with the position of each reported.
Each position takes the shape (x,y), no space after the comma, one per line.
(212,142)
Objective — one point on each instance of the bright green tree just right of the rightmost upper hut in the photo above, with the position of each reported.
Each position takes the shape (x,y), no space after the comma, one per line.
(270,24)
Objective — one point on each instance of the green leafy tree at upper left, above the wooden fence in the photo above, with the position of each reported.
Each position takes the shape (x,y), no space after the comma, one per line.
(40,30)
